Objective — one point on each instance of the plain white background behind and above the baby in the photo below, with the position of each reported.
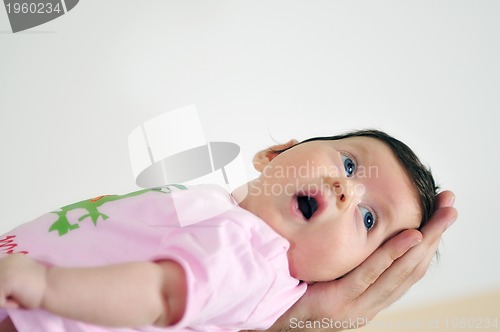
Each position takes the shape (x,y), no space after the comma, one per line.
(426,72)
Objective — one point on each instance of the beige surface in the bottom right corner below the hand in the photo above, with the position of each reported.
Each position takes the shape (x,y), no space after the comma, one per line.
(478,312)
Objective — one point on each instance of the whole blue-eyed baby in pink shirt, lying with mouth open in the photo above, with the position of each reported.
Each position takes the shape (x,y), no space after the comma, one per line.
(318,209)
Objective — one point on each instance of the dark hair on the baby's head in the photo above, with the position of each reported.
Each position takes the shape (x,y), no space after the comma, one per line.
(419,175)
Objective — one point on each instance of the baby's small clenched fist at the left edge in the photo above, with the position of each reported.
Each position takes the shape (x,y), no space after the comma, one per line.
(22,282)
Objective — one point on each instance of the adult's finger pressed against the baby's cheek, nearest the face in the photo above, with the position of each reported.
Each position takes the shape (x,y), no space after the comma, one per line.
(358,280)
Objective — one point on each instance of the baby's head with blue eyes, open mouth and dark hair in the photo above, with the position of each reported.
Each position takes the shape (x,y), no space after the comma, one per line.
(337,199)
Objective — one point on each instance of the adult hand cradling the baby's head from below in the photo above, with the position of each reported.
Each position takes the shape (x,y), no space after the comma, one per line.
(353,300)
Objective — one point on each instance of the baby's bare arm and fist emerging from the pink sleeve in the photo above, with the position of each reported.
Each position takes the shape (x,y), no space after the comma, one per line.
(121,295)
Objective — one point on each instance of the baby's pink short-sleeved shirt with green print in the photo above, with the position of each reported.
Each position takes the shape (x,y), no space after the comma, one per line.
(236,265)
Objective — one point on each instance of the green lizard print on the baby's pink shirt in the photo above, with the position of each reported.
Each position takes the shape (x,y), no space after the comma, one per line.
(63,226)
